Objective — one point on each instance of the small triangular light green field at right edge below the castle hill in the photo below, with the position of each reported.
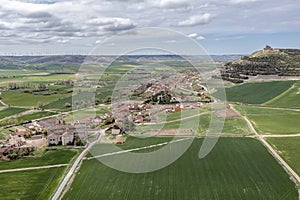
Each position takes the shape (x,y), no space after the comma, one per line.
(289,98)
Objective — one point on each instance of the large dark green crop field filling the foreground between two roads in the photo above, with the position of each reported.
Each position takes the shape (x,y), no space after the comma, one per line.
(237,168)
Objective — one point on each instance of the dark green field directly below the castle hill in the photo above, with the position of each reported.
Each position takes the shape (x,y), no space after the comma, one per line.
(256,93)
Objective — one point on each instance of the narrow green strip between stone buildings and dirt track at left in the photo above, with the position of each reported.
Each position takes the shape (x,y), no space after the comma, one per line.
(60,156)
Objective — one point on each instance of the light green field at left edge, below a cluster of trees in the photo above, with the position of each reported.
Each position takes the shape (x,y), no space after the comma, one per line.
(19,98)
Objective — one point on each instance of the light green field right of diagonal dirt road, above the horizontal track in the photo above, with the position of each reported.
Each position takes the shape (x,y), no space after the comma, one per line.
(272,121)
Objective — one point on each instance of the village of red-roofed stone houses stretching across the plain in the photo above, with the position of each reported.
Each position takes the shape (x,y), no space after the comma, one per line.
(164,94)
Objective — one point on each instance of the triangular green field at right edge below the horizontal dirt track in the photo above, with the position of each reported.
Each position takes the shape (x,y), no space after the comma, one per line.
(289,150)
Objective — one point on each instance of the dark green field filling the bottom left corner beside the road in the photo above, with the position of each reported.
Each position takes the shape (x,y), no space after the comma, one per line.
(28,185)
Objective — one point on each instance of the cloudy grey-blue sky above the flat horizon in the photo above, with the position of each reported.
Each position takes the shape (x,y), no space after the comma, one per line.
(36,27)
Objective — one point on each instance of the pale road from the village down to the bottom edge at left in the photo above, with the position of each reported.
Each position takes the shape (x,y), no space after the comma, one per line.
(66,179)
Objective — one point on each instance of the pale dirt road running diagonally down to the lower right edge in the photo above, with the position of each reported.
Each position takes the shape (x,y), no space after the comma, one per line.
(269,147)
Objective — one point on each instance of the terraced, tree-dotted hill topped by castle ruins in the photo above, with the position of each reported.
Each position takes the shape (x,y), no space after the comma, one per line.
(269,61)
